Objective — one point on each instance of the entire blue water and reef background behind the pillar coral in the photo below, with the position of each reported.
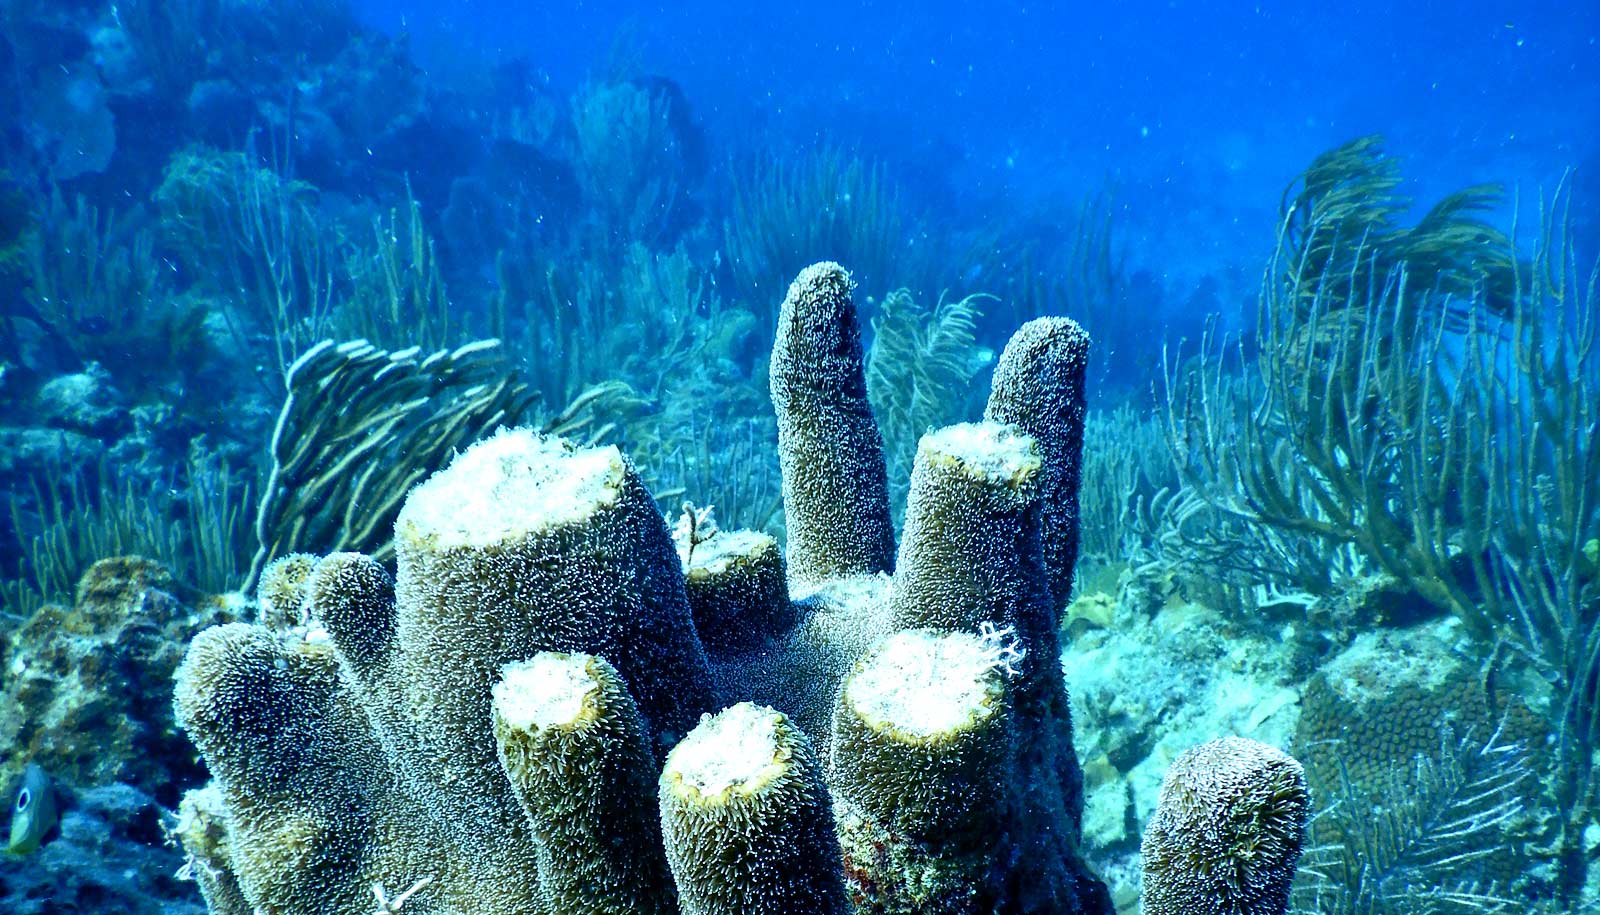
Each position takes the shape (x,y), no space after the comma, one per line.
(266,266)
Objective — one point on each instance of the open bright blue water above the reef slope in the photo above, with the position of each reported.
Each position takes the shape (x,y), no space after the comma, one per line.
(1196,114)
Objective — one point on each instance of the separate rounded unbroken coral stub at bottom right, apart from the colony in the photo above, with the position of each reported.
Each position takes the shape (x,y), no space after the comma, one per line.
(1228,833)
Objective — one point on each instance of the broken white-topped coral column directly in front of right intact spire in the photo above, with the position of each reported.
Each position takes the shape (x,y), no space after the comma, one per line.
(972,561)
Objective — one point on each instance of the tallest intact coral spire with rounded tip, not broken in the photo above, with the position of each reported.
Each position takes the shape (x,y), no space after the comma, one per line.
(836,489)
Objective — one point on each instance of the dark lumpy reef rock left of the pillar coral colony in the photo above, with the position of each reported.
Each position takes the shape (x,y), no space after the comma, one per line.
(86,700)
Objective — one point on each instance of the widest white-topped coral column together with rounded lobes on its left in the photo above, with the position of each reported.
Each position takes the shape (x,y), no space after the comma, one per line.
(588,565)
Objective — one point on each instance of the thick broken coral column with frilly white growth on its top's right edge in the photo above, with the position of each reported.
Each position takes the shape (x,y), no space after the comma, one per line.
(921,772)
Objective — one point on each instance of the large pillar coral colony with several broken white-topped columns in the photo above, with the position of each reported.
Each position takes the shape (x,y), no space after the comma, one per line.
(553,709)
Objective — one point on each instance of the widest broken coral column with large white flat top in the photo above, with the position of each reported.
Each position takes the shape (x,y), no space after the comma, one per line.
(527,545)
